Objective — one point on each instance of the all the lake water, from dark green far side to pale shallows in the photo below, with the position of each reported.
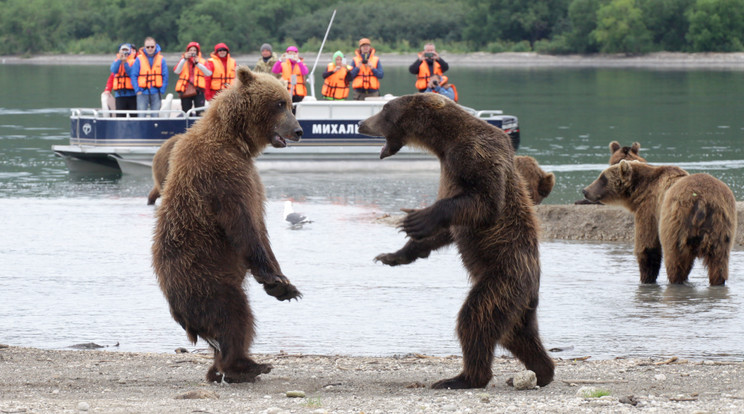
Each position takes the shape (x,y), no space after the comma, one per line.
(75,256)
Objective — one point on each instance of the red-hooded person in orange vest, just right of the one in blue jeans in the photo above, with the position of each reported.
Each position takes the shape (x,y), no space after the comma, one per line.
(191,71)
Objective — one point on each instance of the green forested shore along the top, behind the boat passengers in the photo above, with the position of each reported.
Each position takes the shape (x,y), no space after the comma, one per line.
(32,27)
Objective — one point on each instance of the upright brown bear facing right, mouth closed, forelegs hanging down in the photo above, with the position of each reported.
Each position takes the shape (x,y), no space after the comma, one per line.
(210,227)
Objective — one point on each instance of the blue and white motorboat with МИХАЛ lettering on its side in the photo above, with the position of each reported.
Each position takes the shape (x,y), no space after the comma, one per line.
(106,141)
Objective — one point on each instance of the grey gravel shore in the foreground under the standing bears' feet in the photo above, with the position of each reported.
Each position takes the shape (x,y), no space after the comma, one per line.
(53,381)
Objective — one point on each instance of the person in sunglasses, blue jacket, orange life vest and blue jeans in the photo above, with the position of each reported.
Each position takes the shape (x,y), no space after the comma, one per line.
(149,76)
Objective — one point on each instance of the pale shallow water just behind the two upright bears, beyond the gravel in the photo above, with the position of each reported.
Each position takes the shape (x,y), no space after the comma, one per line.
(77,270)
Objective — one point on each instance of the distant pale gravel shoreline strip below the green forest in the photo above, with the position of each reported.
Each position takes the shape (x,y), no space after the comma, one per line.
(660,60)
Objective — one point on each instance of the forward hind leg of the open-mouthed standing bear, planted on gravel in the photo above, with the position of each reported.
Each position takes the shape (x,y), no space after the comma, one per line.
(480,324)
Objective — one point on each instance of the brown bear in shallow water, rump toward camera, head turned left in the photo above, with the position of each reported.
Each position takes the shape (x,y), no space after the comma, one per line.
(680,215)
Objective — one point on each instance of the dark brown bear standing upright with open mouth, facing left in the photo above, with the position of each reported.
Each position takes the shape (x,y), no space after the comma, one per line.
(482,207)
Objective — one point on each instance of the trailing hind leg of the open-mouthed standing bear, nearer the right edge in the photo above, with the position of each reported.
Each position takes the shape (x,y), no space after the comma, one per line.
(526,345)
